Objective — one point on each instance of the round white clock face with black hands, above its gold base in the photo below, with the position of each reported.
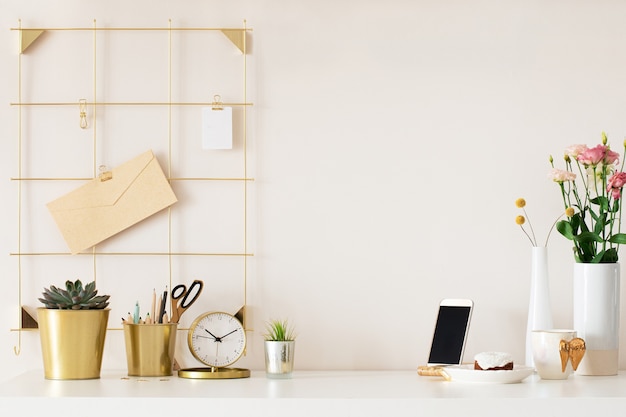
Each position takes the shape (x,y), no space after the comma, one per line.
(217,339)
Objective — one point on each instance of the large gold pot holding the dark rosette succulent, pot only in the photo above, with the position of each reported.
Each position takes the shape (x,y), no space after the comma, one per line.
(72,342)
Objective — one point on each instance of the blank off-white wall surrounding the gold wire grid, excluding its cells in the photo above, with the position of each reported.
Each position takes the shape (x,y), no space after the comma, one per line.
(391,140)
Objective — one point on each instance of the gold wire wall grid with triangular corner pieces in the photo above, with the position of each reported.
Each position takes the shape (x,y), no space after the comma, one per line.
(87,112)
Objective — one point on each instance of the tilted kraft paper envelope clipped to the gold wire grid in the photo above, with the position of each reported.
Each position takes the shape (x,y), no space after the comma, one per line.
(104,207)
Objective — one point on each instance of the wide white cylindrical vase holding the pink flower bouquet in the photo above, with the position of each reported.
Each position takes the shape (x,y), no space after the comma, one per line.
(596,316)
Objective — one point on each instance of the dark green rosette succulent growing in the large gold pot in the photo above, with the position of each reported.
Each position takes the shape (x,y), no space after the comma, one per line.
(74,297)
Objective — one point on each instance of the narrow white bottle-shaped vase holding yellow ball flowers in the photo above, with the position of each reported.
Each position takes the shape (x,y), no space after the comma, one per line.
(539,306)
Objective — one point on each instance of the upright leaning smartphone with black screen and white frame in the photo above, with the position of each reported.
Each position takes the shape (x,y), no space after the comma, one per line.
(450,333)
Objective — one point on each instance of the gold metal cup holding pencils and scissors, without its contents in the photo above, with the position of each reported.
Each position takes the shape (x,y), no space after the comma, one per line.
(150,348)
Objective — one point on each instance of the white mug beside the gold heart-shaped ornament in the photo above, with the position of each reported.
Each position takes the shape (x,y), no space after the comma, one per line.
(547,352)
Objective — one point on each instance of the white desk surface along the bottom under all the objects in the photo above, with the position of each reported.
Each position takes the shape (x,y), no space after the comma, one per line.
(312,393)
